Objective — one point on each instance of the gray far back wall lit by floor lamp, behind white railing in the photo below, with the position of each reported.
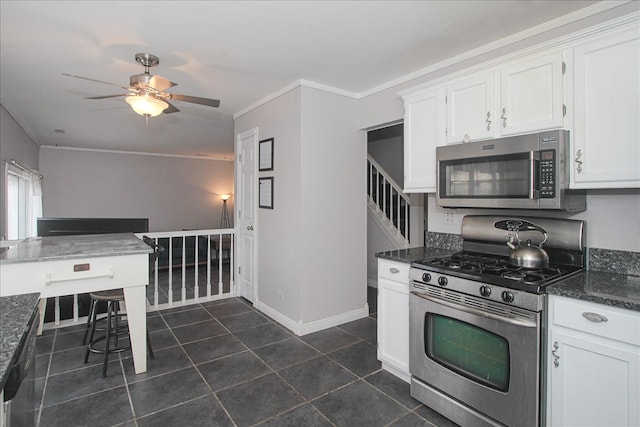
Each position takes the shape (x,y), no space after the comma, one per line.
(174,193)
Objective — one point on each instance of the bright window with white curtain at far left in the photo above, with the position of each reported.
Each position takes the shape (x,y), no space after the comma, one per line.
(24,202)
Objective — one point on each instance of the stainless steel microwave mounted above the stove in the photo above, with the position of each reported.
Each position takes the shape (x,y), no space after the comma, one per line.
(519,172)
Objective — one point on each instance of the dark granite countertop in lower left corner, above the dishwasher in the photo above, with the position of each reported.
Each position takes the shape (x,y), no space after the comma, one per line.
(15,313)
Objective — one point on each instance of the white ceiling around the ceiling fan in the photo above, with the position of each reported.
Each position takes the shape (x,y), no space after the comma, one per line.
(236,51)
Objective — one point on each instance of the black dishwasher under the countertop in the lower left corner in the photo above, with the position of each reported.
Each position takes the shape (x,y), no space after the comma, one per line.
(19,389)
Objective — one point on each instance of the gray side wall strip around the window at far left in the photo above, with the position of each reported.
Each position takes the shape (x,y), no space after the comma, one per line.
(17,145)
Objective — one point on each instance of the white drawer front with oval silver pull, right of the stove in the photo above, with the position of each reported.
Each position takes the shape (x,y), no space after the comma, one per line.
(596,319)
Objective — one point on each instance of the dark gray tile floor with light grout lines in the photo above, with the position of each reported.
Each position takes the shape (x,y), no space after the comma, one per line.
(225,364)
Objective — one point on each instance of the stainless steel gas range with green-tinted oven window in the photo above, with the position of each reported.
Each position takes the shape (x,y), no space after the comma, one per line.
(475,321)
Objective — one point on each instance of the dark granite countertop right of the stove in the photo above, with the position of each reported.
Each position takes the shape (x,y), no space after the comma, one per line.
(616,290)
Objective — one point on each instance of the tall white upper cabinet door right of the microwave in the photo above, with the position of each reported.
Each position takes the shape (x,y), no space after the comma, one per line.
(606,137)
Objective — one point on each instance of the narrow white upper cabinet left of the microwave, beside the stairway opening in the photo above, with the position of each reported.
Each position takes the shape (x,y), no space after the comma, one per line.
(423,131)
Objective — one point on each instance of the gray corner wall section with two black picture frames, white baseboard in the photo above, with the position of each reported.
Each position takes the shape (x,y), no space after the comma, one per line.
(312,245)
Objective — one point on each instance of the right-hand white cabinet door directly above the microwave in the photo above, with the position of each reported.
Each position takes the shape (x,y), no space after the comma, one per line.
(531,95)
